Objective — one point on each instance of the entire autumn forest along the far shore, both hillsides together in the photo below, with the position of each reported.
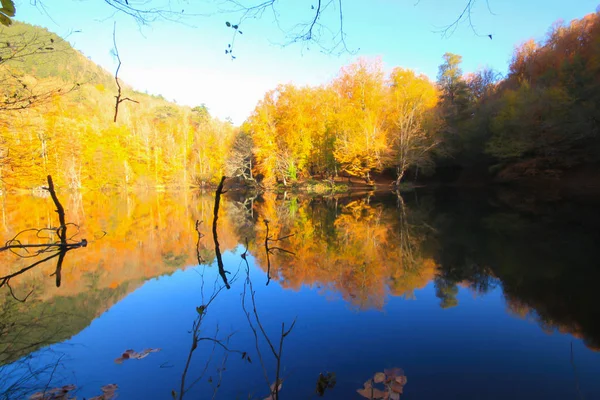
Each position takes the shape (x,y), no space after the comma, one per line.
(540,121)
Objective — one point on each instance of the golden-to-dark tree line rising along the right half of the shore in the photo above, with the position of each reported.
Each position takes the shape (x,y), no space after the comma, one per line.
(539,120)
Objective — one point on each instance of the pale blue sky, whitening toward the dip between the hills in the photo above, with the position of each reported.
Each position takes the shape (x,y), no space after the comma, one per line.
(185,61)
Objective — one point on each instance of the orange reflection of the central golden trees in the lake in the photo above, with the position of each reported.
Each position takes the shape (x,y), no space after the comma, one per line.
(355,247)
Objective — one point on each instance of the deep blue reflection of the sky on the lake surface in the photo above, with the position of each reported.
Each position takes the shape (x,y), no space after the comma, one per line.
(475,350)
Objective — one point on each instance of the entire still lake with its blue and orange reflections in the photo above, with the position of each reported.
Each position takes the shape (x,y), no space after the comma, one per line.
(474,295)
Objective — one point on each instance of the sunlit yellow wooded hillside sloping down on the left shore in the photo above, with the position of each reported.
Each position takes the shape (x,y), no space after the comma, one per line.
(57,118)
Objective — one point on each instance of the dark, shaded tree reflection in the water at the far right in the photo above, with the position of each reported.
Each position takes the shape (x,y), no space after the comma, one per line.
(543,257)
